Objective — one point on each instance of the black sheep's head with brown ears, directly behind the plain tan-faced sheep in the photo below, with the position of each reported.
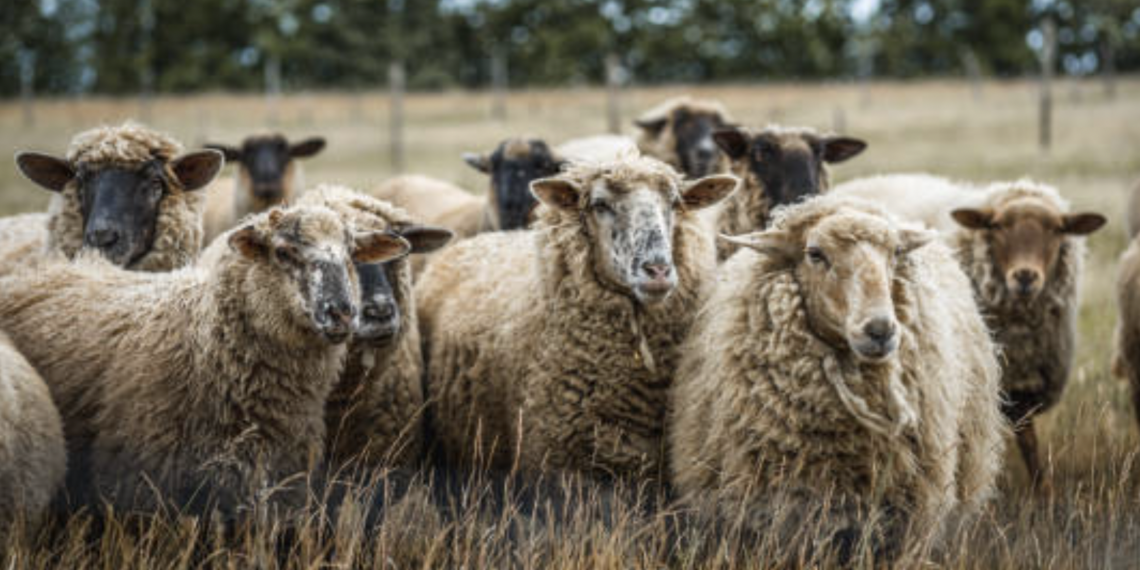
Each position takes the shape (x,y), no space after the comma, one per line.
(788,165)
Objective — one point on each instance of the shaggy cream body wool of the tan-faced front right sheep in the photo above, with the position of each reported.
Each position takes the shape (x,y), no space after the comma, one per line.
(764,408)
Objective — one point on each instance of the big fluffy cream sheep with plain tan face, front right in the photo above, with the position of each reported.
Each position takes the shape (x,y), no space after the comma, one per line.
(841,363)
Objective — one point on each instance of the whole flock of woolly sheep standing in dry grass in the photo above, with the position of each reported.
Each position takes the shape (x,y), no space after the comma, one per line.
(698,311)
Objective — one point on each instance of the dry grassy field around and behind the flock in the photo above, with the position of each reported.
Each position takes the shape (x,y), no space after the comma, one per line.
(1090,520)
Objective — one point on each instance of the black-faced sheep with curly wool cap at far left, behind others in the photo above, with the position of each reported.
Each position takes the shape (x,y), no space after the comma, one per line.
(126,191)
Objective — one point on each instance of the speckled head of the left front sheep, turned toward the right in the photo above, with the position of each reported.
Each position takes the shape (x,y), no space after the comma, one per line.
(305,258)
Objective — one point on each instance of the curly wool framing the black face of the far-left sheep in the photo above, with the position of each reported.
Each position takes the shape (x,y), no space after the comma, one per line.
(178,229)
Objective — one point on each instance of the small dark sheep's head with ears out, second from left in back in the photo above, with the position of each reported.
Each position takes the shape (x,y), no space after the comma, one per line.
(267,166)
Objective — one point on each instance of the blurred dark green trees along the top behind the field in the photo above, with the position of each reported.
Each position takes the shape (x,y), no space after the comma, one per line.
(180,46)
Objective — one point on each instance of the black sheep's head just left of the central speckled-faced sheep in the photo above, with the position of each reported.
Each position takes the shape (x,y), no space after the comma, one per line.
(512,167)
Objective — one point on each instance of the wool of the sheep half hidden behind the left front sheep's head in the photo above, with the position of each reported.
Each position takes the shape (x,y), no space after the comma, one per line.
(376,412)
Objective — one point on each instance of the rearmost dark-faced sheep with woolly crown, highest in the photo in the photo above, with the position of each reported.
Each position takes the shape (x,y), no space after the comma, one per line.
(680,133)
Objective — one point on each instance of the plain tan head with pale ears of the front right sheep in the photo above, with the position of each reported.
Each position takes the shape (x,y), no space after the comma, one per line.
(846,262)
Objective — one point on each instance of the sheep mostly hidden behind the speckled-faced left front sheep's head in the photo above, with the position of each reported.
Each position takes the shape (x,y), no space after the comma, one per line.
(374,413)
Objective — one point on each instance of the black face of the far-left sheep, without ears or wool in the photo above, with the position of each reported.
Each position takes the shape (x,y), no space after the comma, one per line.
(120,209)
